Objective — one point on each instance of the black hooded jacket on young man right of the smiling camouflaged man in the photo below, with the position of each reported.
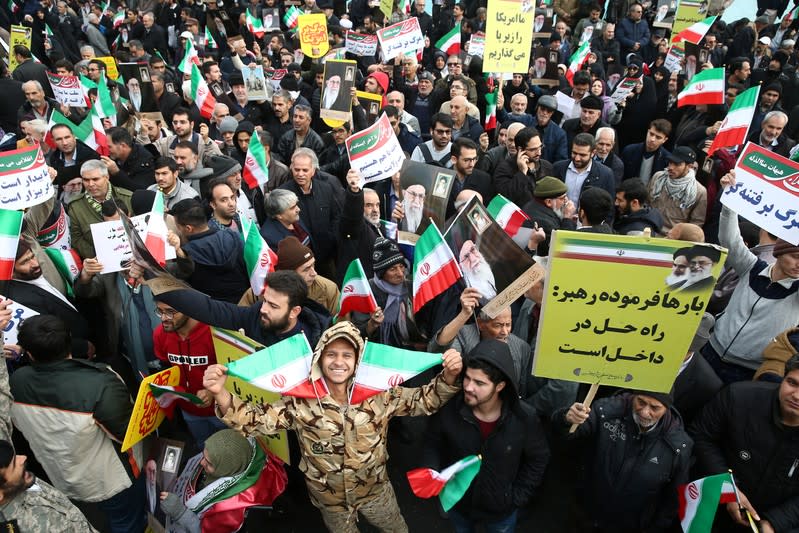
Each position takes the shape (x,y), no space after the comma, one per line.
(515,454)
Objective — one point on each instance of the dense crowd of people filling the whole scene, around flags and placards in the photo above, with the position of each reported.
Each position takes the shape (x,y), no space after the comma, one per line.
(633,167)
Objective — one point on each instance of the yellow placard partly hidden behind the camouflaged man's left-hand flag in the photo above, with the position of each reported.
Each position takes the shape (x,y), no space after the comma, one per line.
(230,346)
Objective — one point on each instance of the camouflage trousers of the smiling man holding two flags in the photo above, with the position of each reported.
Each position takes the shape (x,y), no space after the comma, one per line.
(382,512)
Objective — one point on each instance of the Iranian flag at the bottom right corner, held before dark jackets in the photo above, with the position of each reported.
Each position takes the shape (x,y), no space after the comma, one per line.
(700,499)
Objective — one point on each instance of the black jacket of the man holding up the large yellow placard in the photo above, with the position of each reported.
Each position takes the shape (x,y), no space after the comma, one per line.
(632,477)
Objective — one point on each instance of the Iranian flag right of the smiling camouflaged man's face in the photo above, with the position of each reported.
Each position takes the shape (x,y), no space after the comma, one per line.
(383,367)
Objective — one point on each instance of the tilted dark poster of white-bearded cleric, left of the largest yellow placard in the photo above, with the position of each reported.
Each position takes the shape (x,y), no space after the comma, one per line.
(489,259)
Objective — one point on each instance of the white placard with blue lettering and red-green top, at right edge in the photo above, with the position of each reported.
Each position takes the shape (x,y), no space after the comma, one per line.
(766,192)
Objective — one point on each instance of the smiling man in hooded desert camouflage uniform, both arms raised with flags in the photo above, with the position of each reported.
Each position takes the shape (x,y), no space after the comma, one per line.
(343,446)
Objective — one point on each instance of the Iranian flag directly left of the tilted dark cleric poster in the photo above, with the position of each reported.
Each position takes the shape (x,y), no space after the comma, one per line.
(434,269)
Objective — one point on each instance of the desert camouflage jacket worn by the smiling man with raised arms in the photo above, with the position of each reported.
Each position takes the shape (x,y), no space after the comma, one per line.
(343,447)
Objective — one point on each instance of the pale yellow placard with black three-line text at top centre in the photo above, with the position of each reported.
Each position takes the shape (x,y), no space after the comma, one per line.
(508,37)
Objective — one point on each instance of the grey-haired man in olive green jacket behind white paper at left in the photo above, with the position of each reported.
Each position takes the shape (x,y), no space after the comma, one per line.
(85,210)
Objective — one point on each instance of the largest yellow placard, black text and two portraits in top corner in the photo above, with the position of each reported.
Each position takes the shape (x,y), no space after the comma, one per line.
(617,312)
